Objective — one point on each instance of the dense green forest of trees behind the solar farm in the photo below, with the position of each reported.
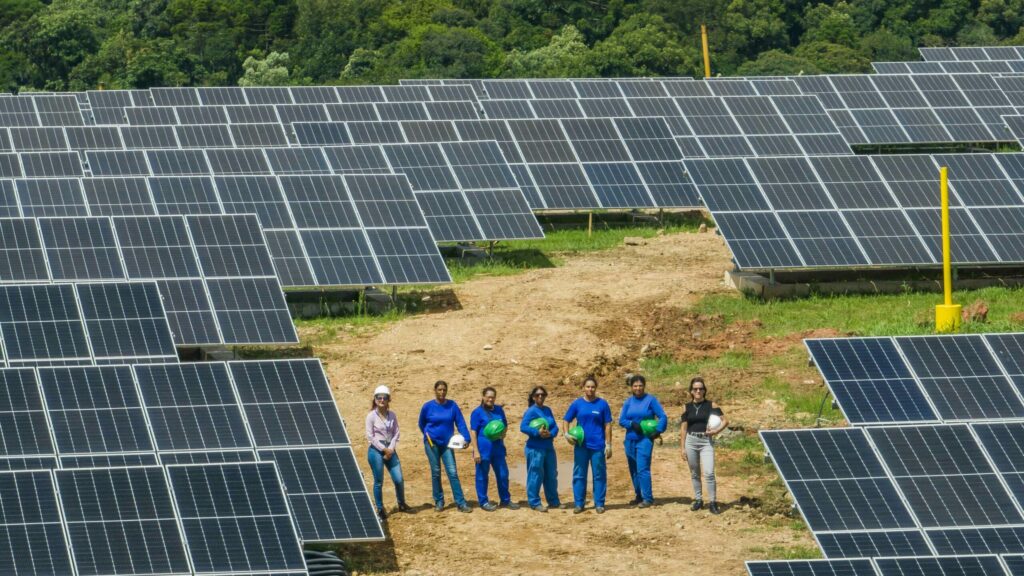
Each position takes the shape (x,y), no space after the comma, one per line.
(82,45)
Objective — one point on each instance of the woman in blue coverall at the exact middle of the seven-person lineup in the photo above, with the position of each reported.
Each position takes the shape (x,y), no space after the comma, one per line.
(542,466)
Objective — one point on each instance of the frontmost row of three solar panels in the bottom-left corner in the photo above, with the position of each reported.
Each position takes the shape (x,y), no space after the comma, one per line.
(176,521)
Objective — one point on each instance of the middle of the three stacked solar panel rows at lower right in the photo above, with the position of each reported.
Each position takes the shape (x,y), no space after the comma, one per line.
(888,491)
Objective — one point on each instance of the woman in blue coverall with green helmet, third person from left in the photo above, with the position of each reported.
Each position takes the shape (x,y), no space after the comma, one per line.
(490,454)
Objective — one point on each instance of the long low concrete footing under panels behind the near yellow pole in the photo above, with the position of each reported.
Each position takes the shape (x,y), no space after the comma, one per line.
(763,287)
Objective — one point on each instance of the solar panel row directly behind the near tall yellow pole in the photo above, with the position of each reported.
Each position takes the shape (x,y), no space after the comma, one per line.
(859,212)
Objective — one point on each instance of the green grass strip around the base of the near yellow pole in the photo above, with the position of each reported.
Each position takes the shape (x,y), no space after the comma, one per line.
(866,315)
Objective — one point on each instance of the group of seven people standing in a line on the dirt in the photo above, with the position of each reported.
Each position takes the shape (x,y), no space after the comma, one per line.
(587,427)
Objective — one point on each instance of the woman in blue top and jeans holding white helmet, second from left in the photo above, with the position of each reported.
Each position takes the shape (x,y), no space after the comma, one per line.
(439,419)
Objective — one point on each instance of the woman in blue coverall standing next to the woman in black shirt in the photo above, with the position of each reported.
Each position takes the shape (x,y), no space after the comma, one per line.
(639,447)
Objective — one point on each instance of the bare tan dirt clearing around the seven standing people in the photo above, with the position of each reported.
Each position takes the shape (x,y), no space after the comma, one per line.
(594,314)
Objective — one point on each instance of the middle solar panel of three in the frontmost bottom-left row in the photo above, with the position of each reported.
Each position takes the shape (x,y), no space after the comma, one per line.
(141,534)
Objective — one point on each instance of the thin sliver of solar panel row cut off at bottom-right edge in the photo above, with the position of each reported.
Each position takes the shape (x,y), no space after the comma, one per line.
(1010,565)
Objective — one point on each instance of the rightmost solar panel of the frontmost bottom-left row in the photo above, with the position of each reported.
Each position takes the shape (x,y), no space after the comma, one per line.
(228,510)
